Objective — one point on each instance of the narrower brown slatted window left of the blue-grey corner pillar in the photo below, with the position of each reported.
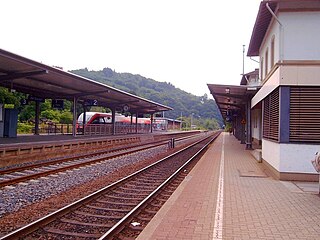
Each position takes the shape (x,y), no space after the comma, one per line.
(271,116)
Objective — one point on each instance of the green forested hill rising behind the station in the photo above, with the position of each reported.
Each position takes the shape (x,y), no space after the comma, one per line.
(183,103)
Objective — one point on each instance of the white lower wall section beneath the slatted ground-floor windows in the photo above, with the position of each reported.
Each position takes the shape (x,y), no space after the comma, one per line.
(295,158)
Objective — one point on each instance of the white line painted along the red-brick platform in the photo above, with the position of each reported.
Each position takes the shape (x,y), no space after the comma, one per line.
(218,217)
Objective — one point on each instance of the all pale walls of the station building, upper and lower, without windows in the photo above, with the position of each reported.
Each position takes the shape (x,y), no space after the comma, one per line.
(299,40)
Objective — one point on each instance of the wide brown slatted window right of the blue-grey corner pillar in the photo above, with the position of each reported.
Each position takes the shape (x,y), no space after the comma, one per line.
(304,114)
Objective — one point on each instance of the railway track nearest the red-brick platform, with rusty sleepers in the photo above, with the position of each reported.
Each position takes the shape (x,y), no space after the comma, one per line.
(103,214)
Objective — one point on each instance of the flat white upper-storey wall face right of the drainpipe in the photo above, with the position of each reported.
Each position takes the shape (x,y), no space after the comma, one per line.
(301,35)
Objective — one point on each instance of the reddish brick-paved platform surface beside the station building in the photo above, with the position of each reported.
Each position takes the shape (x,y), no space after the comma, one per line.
(228,196)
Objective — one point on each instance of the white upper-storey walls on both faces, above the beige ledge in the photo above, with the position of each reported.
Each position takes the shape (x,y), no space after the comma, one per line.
(299,38)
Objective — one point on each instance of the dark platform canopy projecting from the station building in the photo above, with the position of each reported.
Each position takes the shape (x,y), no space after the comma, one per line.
(230,98)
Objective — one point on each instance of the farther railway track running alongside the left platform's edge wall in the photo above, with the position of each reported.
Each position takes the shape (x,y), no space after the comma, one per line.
(34,171)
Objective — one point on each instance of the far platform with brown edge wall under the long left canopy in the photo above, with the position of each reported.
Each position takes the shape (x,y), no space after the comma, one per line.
(26,148)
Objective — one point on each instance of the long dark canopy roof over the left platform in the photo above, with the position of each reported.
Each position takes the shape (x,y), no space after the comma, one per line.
(27,76)
